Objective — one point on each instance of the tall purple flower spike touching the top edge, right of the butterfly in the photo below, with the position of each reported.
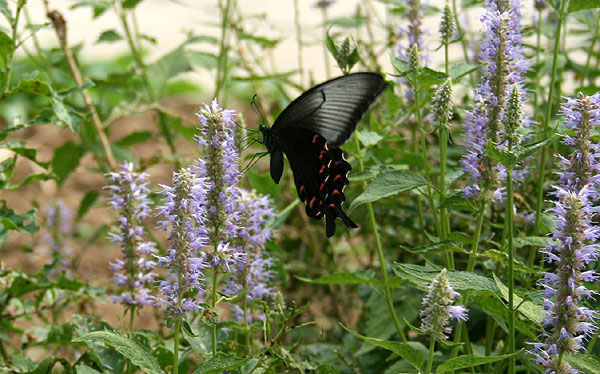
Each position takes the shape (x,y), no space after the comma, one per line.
(505,65)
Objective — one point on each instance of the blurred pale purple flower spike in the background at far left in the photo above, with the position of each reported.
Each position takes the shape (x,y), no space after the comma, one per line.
(58,227)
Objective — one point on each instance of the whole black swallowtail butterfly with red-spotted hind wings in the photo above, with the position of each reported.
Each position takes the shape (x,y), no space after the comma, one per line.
(310,130)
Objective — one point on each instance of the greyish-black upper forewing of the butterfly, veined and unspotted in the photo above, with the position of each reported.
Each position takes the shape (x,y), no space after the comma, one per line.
(333,108)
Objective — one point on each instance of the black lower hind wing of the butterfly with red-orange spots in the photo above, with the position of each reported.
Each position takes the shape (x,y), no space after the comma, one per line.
(319,175)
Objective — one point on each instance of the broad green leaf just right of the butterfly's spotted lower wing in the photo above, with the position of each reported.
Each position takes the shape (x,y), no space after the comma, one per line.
(388,184)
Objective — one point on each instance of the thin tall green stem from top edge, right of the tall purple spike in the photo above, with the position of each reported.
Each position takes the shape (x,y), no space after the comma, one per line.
(546,122)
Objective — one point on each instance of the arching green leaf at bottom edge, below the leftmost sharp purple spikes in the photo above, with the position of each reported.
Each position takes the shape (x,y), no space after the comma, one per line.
(130,348)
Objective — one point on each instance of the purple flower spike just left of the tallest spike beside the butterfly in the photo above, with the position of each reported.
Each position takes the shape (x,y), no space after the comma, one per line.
(182,288)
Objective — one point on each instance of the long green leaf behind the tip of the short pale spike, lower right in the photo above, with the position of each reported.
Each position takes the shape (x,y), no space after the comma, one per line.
(459,280)
